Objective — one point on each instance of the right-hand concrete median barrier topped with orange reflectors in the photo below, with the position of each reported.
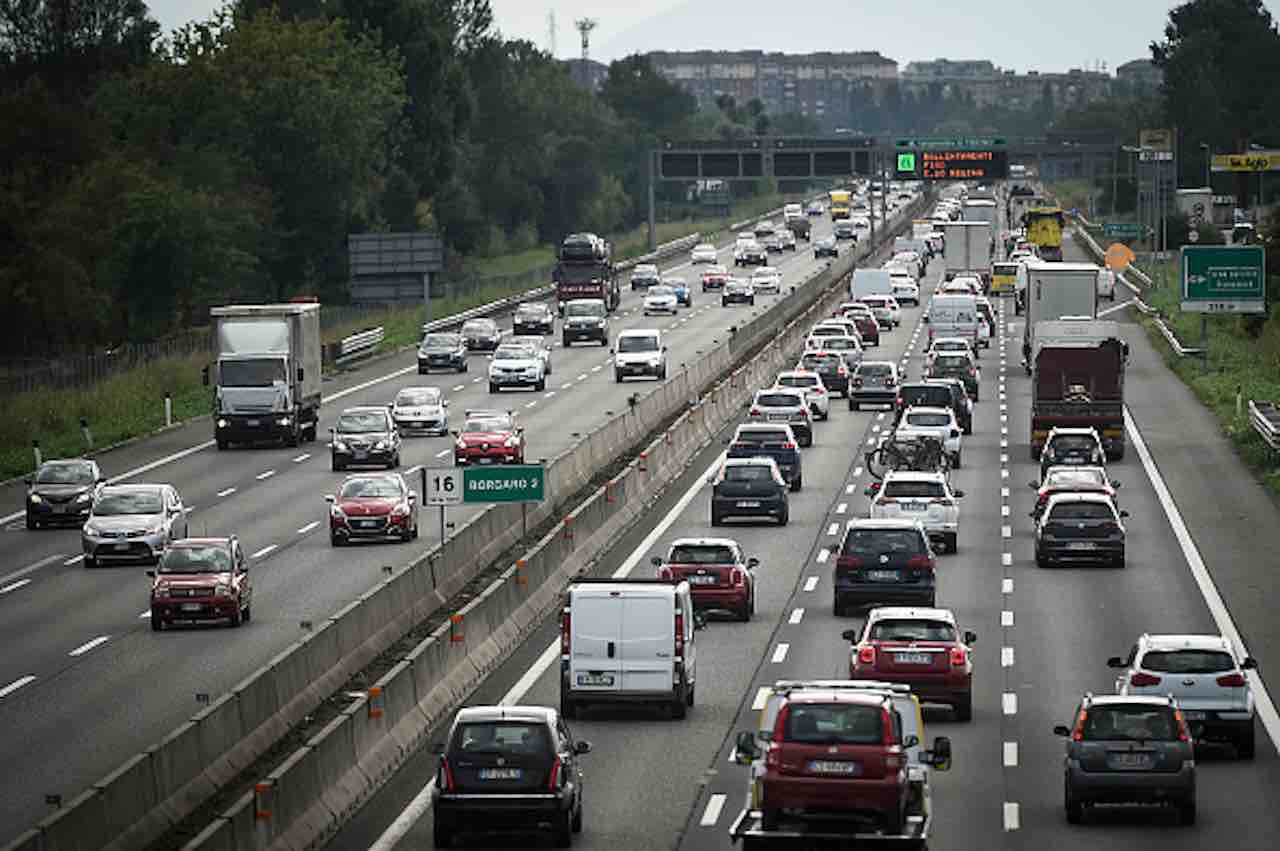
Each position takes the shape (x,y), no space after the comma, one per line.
(319,786)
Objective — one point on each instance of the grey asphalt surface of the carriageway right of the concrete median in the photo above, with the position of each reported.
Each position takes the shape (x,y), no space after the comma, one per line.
(1044,635)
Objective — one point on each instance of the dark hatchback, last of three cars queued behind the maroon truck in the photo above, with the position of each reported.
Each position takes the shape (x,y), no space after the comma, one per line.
(1081,528)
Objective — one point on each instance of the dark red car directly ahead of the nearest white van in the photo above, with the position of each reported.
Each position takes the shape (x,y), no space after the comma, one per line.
(720,577)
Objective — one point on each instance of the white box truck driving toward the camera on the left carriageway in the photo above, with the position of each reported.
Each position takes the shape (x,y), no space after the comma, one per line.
(267,379)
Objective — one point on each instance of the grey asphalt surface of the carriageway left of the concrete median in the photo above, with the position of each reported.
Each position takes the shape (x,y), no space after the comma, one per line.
(85,683)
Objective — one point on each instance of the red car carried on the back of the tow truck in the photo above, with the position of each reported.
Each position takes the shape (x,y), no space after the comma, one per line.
(836,754)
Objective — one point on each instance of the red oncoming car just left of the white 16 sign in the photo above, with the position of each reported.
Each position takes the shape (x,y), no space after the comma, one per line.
(373,507)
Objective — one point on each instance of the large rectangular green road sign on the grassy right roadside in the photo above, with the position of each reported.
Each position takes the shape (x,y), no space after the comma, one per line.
(1224,280)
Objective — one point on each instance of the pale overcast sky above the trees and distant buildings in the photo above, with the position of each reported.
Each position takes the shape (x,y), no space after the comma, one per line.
(1012,34)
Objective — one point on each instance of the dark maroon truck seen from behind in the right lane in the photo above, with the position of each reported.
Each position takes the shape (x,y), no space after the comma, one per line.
(1078,382)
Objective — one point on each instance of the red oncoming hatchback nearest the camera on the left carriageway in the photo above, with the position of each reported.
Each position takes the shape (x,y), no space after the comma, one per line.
(202,579)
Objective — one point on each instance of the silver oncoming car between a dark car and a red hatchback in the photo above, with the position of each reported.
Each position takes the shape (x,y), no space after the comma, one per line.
(134,524)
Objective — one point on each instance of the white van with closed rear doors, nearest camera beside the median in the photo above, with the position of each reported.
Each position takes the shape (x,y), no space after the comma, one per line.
(629,642)
